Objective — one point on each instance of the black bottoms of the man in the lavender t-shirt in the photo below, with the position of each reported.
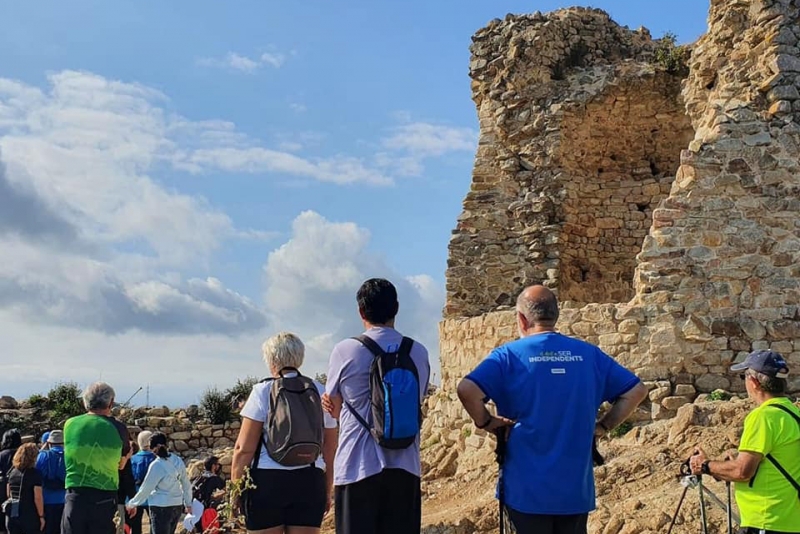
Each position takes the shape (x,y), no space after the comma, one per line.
(387,503)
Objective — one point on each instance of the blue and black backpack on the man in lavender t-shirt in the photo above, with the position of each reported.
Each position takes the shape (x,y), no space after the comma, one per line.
(394,395)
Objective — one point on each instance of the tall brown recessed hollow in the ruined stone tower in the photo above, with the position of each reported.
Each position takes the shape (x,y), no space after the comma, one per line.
(619,154)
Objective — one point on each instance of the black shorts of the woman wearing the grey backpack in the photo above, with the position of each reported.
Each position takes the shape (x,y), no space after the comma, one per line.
(292,498)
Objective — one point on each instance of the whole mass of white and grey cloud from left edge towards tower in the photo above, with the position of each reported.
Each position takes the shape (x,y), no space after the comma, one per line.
(105,270)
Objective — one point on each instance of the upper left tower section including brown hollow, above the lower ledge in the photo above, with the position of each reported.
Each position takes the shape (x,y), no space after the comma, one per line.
(580,139)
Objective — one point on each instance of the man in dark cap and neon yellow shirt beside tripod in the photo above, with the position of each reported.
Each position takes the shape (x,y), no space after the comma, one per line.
(766,470)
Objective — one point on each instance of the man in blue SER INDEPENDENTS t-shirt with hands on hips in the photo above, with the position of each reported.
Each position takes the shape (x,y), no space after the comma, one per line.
(547,388)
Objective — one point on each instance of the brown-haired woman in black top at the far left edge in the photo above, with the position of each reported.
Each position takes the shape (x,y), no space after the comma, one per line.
(25,508)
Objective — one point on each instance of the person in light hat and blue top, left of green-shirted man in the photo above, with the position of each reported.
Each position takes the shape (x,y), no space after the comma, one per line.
(50,463)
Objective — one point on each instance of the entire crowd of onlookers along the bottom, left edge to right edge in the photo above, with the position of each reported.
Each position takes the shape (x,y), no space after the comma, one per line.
(353,444)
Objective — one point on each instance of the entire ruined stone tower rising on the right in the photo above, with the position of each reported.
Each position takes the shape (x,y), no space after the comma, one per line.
(660,203)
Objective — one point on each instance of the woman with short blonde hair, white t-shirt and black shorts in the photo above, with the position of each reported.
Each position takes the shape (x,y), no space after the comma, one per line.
(288,499)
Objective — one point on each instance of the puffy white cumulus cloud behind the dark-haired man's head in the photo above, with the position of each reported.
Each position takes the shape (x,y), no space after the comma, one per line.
(312,281)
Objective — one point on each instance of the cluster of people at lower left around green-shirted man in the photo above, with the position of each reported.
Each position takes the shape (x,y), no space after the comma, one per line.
(80,478)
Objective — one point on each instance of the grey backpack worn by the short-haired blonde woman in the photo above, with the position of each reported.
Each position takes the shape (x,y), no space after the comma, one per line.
(295,423)
